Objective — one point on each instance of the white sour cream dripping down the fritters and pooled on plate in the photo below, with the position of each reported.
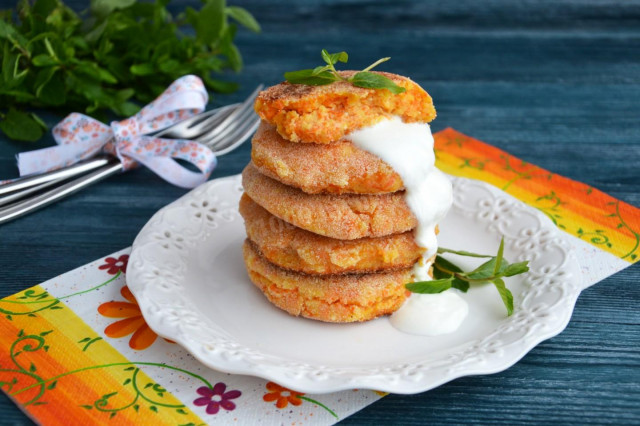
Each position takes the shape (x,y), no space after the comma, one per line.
(408,149)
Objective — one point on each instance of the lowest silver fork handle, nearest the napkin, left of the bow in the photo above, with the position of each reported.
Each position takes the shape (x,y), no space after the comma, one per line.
(113,166)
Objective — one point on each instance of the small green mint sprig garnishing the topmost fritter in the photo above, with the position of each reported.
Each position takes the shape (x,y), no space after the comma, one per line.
(327,74)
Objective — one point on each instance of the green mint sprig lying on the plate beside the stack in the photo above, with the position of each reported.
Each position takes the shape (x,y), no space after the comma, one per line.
(447,275)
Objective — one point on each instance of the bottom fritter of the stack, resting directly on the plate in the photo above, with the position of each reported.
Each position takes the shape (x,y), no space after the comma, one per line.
(330,298)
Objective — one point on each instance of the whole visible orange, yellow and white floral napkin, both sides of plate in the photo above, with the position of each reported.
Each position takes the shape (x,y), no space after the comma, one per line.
(76,349)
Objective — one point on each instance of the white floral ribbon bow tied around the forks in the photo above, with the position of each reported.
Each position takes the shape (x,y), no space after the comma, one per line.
(80,137)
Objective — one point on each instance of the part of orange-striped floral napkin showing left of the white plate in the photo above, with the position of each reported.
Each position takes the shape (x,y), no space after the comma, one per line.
(76,350)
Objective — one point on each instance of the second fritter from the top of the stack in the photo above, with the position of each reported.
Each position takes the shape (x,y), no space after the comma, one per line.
(337,168)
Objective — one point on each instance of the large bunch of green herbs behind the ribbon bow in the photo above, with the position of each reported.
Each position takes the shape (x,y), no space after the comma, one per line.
(120,51)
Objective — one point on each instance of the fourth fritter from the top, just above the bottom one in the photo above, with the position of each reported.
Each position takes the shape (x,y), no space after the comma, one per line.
(296,249)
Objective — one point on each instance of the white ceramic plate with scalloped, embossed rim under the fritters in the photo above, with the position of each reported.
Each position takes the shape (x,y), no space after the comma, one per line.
(187,273)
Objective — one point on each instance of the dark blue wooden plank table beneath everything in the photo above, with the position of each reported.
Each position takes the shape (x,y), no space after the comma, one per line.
(554,83)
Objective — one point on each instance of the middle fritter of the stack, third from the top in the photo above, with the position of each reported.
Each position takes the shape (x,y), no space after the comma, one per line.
(345,217)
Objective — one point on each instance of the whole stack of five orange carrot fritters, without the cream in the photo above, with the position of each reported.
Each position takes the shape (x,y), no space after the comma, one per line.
(330,236)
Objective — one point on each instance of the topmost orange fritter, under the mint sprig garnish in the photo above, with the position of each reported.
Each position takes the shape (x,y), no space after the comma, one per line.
(324,114)
